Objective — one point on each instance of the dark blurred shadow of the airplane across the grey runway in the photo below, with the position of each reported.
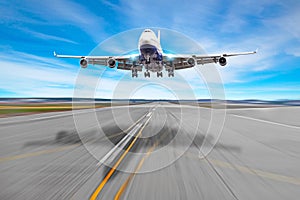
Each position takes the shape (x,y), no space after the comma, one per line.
(115,135)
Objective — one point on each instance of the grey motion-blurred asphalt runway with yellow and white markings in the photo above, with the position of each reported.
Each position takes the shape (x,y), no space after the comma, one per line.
(152,151)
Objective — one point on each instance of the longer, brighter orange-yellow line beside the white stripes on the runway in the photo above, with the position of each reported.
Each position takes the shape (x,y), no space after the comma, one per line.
(107,177)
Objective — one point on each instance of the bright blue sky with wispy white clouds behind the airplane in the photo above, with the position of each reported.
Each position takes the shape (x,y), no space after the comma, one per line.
(31,30)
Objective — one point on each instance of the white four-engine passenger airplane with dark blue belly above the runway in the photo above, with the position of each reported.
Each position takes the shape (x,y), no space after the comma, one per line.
(152,58)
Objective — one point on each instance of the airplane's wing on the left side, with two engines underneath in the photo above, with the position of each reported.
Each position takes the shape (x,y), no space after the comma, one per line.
(123,62)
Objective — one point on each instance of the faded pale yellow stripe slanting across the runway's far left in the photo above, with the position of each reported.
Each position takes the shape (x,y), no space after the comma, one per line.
(37,153)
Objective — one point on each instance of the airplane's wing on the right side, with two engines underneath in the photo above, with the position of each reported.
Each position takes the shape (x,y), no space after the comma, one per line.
(183,61)
